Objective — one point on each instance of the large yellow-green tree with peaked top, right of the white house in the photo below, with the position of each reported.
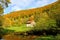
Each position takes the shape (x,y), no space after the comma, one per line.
(45,22)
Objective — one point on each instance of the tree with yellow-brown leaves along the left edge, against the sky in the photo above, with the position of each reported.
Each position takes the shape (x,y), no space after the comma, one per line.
(3,3)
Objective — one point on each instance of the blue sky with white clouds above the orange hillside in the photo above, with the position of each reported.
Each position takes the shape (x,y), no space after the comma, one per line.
(26,4)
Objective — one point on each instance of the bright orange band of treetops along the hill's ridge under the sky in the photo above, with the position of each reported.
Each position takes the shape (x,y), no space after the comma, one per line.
(30,10)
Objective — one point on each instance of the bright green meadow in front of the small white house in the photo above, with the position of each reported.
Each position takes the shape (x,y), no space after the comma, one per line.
(21,28)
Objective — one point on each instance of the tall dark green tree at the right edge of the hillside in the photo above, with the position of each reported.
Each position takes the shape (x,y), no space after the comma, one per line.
(54,13)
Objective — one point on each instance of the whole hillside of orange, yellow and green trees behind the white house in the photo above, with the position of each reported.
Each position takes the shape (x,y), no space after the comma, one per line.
(47,16)
